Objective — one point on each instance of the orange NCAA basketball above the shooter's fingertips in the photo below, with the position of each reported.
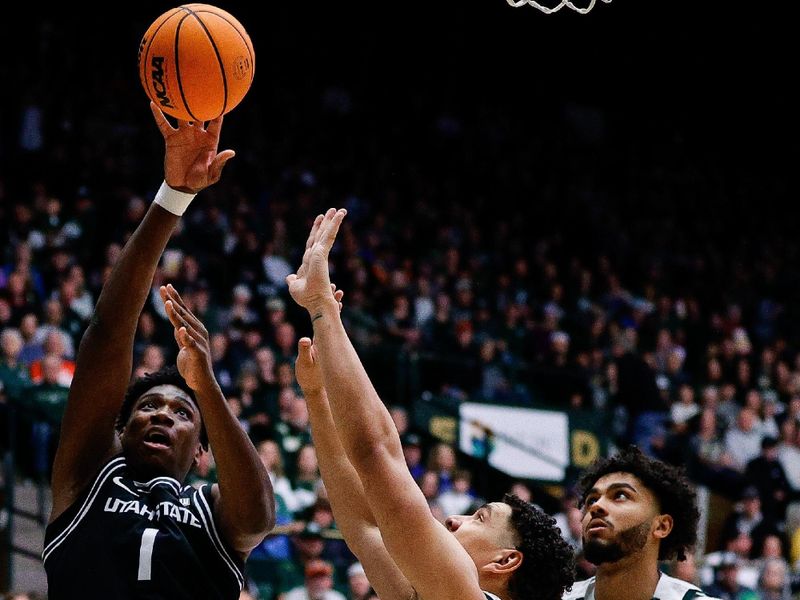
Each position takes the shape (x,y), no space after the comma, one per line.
(196,62)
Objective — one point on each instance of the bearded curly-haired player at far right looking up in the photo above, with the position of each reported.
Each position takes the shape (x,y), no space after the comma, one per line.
(637,511)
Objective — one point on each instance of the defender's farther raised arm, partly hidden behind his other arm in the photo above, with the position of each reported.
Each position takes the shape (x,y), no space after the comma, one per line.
(350,508)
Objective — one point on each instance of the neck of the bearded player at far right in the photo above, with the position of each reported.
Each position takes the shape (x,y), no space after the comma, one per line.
(632,578)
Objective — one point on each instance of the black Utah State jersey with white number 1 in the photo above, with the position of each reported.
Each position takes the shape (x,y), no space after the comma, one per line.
(145,540)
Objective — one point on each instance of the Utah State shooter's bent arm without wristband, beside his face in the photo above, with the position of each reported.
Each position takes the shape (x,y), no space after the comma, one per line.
(244,504)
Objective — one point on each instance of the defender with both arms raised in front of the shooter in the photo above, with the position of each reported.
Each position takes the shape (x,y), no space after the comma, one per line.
(506,550)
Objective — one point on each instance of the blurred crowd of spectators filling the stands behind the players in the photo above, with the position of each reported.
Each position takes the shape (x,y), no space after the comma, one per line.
(511,261)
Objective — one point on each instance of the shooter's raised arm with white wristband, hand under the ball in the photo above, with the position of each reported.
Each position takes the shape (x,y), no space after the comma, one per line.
(104,360)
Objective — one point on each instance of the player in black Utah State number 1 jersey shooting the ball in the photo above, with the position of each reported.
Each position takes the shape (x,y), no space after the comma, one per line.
(123,524)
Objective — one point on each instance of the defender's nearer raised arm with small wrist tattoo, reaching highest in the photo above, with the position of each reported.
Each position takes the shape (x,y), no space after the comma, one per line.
(434,562)
